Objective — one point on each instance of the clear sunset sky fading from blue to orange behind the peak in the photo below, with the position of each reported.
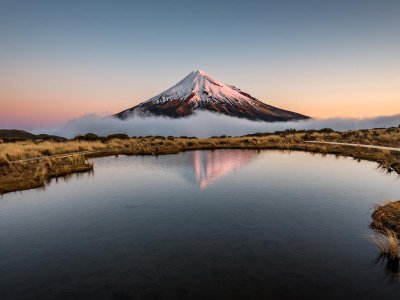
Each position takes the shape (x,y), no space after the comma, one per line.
(64,59)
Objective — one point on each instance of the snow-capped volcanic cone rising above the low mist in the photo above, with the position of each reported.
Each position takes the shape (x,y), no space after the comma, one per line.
(200,91)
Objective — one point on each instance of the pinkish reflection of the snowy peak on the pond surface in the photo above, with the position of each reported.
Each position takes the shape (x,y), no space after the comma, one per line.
(209,166)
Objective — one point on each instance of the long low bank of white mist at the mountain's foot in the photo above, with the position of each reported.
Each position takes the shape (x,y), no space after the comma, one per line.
(205,124)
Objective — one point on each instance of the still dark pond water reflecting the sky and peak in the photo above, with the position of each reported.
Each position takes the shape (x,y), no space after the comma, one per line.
(226,224)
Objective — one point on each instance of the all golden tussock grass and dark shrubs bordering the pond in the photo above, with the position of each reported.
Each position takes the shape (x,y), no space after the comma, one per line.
(30,163)
